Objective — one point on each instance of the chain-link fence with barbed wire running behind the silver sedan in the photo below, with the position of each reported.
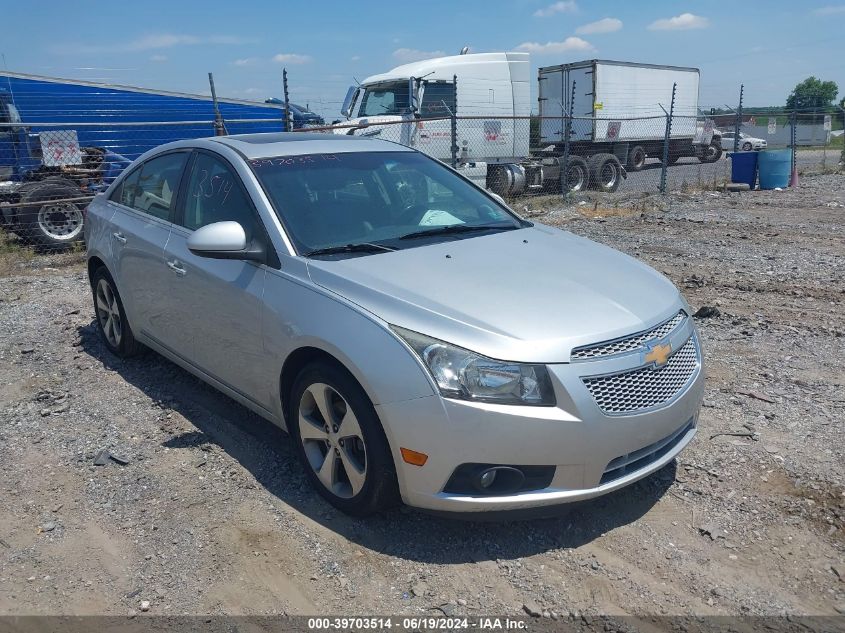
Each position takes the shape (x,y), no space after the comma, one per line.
(50,170)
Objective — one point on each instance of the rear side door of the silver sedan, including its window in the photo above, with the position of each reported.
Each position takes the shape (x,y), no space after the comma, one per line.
(144,204)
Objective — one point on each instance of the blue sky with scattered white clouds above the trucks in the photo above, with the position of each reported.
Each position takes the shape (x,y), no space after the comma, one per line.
(768,46)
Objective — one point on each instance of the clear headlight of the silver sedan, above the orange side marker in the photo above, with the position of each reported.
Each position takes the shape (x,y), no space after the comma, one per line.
(460,373)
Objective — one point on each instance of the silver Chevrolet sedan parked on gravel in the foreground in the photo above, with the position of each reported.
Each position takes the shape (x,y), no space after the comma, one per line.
(417,339)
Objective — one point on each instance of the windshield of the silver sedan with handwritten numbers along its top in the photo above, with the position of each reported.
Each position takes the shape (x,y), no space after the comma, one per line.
(328,200)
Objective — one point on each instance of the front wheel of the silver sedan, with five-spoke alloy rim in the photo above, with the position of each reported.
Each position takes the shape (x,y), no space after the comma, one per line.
(356,471)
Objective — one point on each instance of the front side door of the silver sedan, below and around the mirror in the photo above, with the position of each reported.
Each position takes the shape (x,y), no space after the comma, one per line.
(218,302)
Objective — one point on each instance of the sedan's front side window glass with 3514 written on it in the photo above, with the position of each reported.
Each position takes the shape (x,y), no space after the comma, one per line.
(214,194)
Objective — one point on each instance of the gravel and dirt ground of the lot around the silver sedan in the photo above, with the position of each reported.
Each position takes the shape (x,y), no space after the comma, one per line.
(213,515)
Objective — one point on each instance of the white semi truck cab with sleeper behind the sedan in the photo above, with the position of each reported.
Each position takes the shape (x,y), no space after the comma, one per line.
(412,103)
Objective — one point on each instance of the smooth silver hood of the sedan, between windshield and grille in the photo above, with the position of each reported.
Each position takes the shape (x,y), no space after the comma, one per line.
(528,295)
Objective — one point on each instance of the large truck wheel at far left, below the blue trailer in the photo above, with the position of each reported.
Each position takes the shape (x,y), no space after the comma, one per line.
(52,226)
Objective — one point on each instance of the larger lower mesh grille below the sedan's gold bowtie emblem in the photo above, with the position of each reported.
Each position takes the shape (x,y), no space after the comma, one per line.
(647,387)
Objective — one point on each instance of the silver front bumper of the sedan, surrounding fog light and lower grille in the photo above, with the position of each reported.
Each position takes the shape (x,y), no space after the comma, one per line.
(593,453)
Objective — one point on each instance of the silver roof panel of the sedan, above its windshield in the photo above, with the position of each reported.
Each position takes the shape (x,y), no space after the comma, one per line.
(269,144)
